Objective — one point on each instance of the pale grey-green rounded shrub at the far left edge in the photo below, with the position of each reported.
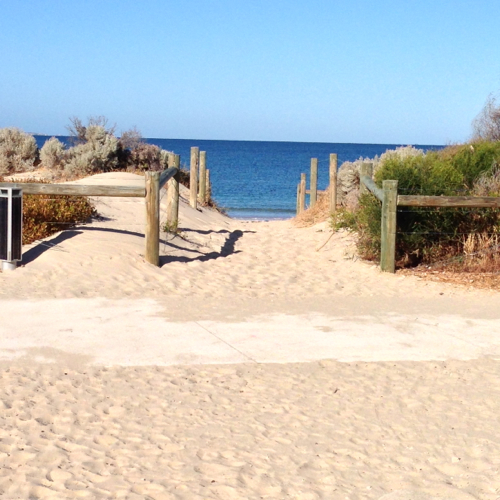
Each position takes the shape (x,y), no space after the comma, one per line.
(18,151)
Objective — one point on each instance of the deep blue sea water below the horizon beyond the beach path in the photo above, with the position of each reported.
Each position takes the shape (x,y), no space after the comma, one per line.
(258,179)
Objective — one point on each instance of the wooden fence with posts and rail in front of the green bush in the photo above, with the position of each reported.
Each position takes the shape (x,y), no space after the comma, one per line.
(391,200)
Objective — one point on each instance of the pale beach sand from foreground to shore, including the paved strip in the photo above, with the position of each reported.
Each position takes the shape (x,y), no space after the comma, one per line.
(250,365)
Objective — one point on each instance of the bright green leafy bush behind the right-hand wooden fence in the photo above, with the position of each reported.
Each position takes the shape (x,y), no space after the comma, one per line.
(426,234)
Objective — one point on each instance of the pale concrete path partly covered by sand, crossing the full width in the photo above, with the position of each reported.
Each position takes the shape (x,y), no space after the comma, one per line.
(140,332)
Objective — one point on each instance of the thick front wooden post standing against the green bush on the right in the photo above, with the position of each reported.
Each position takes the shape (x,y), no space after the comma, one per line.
(388,229)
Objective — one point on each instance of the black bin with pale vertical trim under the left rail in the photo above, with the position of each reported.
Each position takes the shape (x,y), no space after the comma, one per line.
(11,224)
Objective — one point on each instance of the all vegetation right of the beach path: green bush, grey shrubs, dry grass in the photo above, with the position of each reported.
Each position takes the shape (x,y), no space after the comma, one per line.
(461,238)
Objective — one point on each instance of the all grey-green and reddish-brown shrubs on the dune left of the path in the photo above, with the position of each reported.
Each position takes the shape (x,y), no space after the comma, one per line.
(94,148)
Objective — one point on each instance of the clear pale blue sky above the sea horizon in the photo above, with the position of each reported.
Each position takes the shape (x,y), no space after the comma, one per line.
(371,71)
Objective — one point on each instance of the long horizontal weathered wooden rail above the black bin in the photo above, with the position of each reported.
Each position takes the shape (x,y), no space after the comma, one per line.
(77,189)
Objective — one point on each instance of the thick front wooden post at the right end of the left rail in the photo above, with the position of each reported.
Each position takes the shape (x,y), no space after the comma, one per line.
(153,218)
